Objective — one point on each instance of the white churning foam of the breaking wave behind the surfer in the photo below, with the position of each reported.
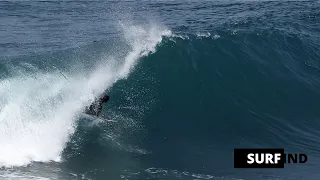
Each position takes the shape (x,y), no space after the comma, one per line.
(38,110)
